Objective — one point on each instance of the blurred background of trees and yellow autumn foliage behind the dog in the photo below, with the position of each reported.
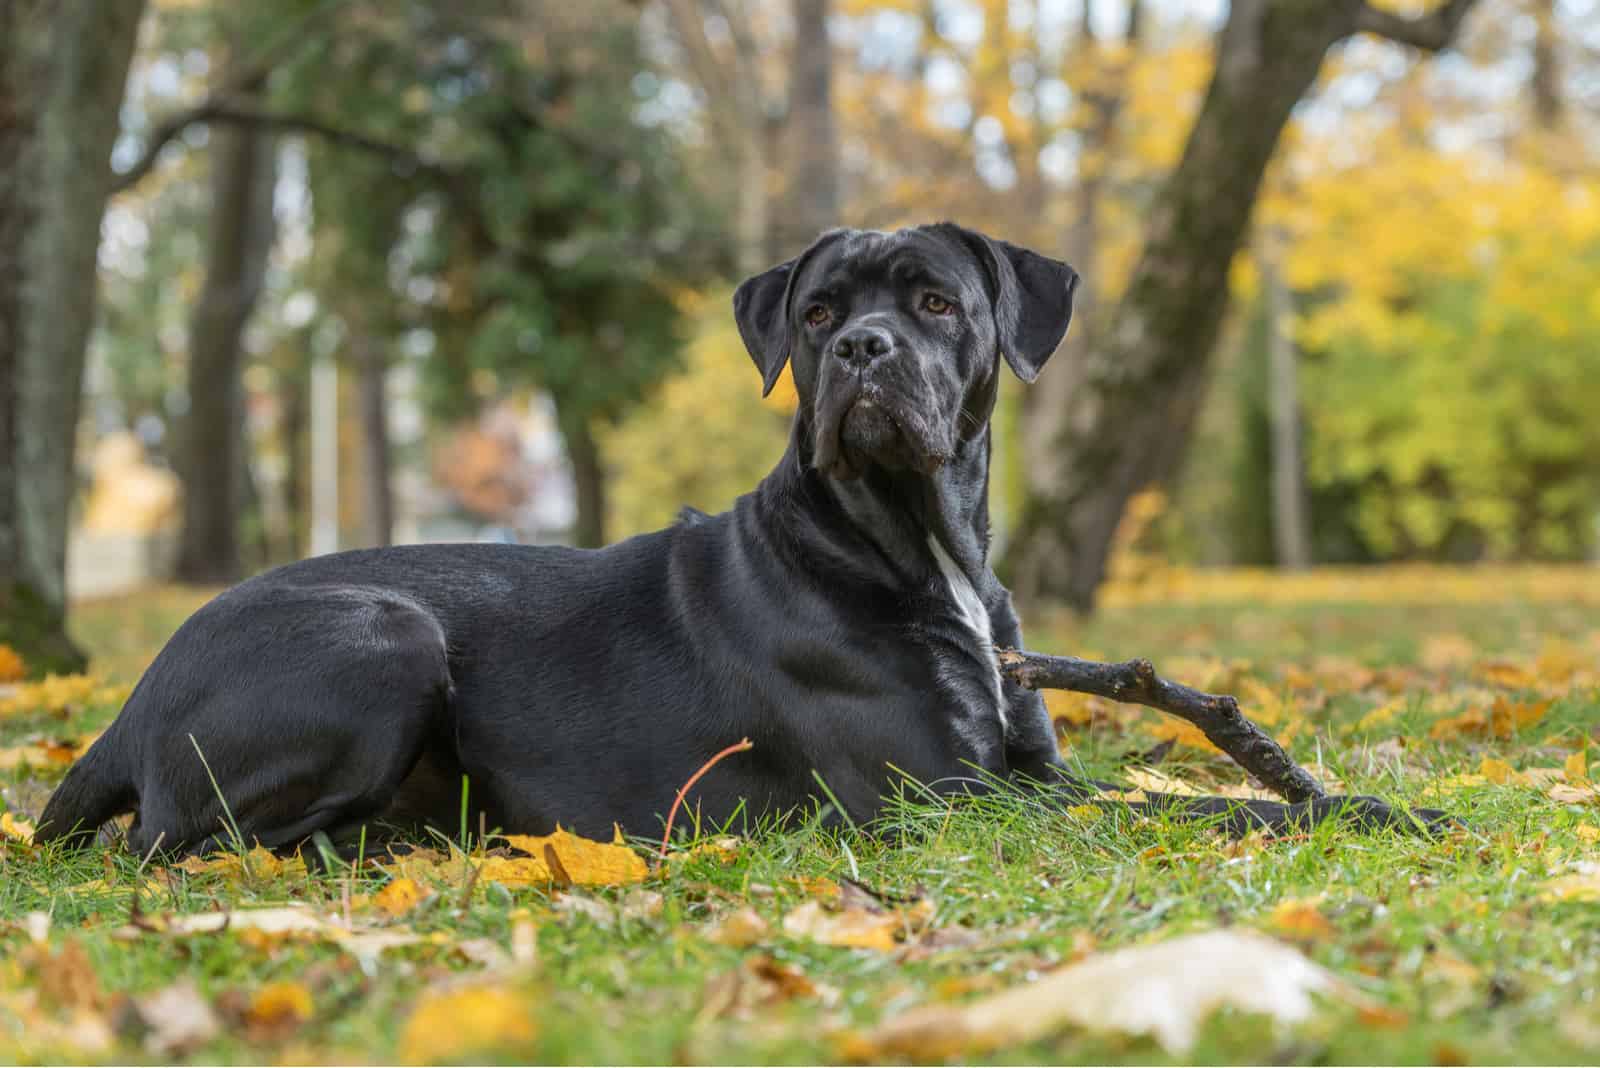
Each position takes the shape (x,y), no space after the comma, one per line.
(300,276)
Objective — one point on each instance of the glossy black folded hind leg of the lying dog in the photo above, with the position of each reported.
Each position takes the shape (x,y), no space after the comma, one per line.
(302,711)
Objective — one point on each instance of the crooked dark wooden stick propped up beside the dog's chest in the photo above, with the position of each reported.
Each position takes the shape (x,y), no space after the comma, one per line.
(1135,682)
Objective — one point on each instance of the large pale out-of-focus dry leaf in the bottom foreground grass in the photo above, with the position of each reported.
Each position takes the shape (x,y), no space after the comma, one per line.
(1164,990)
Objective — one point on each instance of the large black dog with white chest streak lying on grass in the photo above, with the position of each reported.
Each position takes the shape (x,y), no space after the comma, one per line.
(842,616)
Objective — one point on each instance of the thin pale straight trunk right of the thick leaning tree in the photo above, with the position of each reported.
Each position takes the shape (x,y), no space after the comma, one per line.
(1290,522)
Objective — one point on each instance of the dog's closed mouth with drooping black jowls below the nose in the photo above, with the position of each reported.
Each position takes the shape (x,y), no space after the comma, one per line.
(860,428)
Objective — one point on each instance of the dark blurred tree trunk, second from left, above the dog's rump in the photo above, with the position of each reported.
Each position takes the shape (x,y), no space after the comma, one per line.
(214,436)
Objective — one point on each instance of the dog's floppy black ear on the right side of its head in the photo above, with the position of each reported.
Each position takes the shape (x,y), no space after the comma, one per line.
(1033,301)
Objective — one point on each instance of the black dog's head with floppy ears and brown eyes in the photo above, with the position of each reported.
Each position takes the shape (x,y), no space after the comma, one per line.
(895,338)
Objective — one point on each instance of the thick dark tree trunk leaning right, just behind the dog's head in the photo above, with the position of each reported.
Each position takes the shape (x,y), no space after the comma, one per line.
(1135,399)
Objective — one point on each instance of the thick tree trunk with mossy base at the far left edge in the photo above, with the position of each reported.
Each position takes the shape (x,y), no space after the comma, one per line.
(63,74)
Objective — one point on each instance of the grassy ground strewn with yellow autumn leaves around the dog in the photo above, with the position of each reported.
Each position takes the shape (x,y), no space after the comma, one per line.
(1426,687)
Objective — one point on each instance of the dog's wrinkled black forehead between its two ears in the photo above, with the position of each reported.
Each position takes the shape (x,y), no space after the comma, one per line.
(860,261)
